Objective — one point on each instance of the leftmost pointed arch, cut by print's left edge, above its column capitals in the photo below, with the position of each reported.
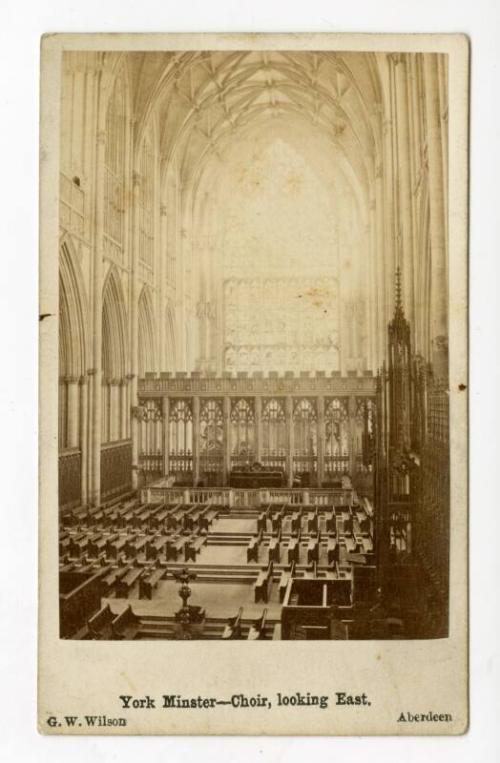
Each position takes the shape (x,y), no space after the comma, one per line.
(73,312)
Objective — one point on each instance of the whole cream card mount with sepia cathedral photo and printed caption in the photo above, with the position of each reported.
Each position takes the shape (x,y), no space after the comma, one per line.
(253,363)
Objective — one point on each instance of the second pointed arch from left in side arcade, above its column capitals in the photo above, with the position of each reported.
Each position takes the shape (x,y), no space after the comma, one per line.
(114,328)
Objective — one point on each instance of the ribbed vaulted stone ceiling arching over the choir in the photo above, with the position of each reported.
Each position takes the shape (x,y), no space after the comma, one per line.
(205,101)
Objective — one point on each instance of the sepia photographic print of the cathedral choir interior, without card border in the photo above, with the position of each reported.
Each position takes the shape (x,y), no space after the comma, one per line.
(253,346)
